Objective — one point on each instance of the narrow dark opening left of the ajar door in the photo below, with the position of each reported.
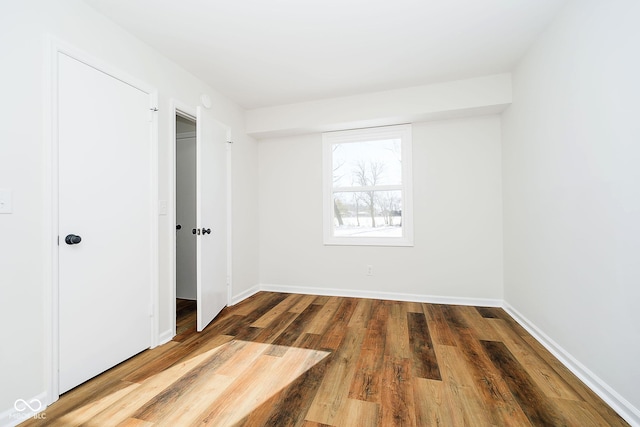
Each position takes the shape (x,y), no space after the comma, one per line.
(186,199)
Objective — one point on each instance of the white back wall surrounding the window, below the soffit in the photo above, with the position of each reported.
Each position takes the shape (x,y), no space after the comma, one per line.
(457,218)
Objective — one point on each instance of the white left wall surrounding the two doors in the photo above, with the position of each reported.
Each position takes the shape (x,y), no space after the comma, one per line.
(23,26)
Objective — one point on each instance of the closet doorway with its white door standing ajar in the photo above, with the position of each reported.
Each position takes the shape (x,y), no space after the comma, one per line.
(201,159)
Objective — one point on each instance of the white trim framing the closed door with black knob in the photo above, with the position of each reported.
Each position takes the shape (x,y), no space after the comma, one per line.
(53,48)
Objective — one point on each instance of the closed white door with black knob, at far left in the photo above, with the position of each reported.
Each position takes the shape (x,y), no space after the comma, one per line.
(105,178)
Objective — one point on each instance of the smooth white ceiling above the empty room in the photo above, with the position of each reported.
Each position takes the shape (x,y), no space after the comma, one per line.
(270,52)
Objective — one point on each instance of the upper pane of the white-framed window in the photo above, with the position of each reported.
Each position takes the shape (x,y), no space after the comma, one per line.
(357,164)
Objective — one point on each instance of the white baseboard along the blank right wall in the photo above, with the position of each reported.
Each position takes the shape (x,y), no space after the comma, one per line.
(619,404)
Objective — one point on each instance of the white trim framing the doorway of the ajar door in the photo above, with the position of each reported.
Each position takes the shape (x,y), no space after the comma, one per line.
(179,108)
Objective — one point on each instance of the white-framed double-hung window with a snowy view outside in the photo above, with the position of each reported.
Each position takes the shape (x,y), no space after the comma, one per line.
(367,187)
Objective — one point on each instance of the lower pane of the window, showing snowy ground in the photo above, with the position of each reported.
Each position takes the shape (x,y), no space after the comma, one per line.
(367,214)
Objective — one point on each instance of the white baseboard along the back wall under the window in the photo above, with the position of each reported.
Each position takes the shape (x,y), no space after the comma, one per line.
(485,302)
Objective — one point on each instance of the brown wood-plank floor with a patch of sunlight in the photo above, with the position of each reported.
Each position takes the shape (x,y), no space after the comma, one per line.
(300,360)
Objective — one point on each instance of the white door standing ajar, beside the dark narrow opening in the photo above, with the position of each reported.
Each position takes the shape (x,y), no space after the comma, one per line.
(211,217)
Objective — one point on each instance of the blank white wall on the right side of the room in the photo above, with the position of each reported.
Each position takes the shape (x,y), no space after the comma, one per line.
(571,172)
